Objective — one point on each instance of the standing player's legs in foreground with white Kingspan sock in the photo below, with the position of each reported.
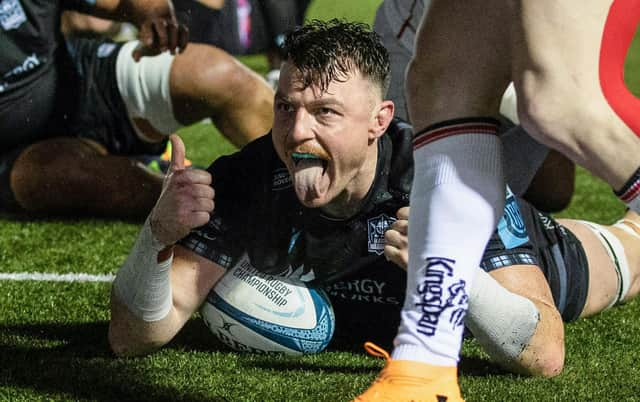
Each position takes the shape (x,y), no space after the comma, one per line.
(571,98)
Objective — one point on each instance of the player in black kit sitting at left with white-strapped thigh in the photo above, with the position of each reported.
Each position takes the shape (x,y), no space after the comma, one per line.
(73,112)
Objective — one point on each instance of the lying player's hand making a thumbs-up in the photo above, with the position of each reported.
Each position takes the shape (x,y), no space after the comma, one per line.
(186,201)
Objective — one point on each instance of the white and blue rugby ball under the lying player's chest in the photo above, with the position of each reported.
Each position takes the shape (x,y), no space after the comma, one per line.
(254,312)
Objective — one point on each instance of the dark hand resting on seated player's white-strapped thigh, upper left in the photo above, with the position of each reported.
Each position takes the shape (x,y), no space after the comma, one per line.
(161,33)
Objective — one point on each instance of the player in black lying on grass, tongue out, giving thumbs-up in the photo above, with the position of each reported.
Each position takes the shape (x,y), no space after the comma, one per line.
(312,201)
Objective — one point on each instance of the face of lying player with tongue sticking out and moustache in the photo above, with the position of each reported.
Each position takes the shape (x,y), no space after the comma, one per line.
(328,139)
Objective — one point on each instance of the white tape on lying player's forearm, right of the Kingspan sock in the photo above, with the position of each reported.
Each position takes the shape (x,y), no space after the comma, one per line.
(502,322)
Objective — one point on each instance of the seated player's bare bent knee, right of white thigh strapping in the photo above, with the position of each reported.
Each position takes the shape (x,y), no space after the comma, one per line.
(208,82)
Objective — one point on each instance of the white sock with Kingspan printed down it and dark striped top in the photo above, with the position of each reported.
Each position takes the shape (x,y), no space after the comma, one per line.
(457,197)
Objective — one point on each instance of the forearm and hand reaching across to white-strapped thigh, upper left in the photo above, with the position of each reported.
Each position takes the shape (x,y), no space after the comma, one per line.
(158,27)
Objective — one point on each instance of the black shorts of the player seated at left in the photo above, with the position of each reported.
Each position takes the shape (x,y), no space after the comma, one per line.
(77,97)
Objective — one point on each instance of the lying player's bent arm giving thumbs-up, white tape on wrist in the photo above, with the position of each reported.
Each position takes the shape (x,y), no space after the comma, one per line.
(160,285)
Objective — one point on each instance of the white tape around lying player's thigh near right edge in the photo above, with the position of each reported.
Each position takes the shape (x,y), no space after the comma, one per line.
(615,250)
